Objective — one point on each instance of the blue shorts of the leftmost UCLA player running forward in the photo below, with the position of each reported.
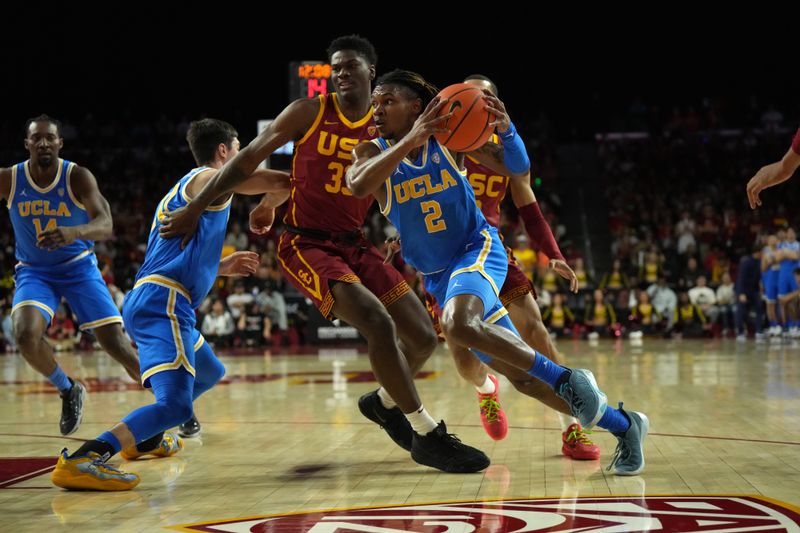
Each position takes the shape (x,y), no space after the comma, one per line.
(78,281)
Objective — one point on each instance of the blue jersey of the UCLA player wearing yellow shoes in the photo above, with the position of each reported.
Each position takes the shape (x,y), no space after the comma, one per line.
(194,268)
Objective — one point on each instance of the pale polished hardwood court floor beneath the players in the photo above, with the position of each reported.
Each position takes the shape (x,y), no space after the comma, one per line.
(282,434)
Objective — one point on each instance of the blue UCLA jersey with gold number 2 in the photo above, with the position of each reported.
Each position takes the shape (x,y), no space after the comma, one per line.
(433,207)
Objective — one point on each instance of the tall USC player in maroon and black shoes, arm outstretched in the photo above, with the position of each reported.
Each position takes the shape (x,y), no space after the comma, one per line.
(326,256)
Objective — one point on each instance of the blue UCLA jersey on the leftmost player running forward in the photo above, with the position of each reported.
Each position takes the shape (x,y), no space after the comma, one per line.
(34,209)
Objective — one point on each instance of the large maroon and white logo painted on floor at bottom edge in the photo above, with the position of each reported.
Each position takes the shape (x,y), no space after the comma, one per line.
(609,515)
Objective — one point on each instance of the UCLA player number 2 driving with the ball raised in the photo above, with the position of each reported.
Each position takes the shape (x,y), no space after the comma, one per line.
(424,192)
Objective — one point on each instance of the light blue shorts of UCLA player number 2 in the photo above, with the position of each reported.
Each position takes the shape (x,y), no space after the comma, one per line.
(480,271)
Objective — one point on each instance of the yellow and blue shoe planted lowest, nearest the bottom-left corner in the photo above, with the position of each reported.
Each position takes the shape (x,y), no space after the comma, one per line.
(89,472)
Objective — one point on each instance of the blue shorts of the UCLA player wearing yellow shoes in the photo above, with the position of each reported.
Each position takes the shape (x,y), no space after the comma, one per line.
(161,320)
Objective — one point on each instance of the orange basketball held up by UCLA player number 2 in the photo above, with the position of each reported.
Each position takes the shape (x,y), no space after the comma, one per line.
(469,126)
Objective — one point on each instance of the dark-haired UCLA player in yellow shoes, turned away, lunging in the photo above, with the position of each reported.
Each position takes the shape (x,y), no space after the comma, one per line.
(159,313)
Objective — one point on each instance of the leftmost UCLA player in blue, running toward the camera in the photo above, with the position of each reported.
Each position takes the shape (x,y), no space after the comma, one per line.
(57,212)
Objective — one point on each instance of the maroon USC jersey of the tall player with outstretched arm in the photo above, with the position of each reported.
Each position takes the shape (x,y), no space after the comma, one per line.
(320,198)
